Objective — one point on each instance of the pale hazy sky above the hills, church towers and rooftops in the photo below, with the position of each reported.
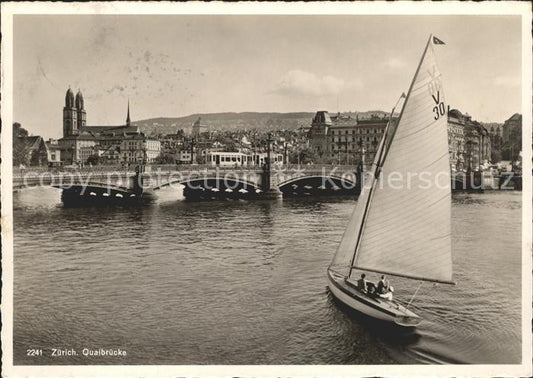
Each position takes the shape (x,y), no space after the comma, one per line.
(176,65)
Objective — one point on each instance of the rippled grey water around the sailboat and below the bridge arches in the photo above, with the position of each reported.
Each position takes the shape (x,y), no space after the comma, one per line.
(236,282)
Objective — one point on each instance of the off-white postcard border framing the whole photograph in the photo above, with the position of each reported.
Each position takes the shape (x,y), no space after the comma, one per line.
(317,8)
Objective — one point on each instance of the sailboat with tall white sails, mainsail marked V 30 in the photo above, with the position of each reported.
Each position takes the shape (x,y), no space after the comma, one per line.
(401,225)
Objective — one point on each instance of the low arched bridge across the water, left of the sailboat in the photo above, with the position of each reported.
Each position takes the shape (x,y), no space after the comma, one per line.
(202,182)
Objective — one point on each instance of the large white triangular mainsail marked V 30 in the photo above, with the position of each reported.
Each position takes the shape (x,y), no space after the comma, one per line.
(406,229)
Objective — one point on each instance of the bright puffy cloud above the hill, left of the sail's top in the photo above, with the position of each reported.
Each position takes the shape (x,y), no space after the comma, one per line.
(302,83)
